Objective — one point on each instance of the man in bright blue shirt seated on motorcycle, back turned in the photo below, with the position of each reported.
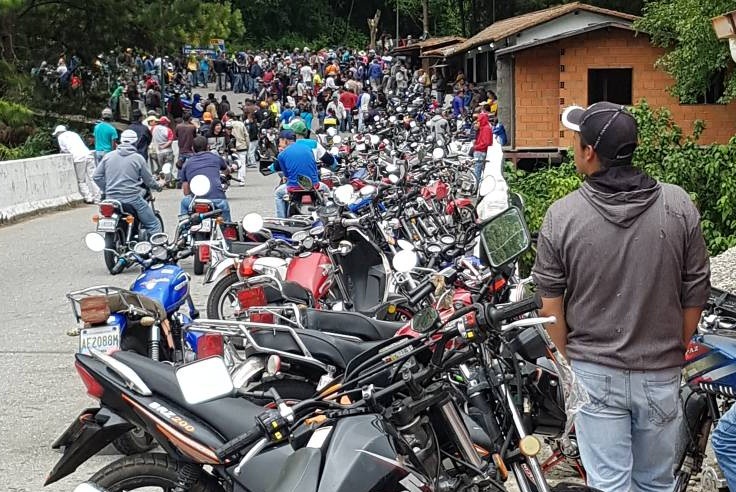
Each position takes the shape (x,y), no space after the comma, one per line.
(297,158)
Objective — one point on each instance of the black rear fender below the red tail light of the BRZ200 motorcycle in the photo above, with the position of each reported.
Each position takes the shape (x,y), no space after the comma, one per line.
(94,429)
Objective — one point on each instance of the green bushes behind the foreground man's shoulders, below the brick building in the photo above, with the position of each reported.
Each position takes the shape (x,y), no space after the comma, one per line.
(708,173)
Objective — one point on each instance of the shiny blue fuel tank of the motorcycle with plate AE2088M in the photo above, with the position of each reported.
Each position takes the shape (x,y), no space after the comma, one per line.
(168,284)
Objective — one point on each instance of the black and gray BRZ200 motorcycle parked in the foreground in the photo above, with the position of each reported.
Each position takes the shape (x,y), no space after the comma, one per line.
(396,405)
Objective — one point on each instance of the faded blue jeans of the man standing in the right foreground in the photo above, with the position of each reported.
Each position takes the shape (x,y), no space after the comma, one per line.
(626,434)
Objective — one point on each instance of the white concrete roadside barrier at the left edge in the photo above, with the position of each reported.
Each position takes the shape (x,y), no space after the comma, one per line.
(29,186)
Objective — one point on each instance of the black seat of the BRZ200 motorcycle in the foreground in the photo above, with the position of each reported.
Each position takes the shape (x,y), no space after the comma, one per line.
(229,416)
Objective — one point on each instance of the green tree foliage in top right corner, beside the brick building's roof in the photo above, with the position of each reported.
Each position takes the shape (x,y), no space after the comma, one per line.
(694,57)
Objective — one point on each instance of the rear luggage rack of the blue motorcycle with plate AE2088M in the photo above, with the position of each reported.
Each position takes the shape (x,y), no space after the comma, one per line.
(94,305)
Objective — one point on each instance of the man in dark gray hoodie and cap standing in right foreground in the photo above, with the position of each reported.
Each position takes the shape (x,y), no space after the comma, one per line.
(622,264)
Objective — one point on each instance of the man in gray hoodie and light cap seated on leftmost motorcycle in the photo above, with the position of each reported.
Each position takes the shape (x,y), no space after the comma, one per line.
(120,175)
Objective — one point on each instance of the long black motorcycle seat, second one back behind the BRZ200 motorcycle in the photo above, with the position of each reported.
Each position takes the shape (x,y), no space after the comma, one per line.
(349,323)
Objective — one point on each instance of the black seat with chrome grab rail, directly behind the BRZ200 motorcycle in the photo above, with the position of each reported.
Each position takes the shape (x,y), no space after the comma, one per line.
(325,348)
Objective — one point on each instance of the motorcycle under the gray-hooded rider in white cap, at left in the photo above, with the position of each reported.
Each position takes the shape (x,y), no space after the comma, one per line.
(119,224)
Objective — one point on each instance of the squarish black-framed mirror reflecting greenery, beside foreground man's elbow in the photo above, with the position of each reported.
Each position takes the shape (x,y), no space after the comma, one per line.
(505,237)
